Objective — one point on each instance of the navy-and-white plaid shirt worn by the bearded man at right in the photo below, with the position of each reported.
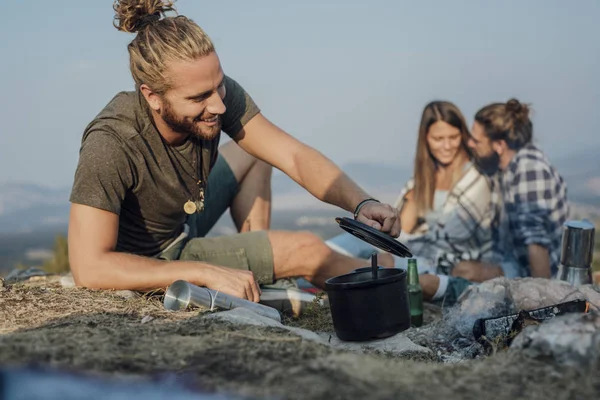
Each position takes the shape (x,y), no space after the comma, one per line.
(531,203)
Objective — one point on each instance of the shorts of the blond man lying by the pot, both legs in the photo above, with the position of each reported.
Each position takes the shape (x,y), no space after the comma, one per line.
(249,251)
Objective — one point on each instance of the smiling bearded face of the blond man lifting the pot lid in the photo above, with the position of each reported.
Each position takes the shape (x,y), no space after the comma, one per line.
(193,104)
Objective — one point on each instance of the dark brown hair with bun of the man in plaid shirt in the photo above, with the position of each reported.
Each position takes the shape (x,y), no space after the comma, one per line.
(507,121)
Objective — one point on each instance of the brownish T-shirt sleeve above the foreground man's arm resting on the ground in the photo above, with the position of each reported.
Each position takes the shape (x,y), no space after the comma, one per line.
(104,173)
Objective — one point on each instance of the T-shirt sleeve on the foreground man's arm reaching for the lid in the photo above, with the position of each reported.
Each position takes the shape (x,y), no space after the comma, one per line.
(240,108)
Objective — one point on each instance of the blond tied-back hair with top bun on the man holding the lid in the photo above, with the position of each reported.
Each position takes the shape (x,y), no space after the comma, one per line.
(158,41)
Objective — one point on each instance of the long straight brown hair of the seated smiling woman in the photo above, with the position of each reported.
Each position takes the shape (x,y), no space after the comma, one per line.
(425,164)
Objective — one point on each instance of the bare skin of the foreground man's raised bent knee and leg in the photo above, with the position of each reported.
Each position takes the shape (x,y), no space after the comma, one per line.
(251,208)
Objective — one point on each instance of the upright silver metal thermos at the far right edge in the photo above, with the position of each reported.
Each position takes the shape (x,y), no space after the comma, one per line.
(577,252)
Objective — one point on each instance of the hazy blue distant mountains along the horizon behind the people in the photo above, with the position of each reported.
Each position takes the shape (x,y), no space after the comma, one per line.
(25,207)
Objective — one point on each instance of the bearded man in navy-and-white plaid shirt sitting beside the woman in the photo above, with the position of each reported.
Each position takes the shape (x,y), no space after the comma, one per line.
(530,198)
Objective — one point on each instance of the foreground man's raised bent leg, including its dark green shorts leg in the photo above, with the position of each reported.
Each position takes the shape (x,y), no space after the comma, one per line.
(240,182)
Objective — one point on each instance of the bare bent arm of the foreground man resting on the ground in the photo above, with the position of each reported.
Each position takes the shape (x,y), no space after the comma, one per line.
(95,263)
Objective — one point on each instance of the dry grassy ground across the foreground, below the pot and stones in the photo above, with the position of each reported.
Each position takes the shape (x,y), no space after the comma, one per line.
(102,333)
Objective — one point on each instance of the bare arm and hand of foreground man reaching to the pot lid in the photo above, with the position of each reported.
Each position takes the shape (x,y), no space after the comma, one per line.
(313,171)
